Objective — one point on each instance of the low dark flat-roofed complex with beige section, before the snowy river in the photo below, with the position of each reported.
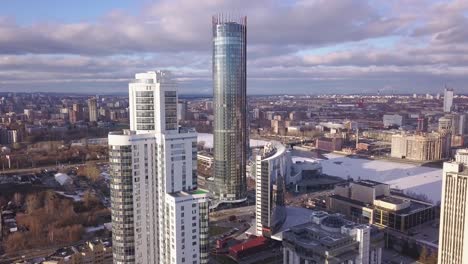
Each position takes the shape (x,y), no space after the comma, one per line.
(373,202)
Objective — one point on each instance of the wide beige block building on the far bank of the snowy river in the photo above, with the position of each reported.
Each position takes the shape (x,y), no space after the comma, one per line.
(421,147)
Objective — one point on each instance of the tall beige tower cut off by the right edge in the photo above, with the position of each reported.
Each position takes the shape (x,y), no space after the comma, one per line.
(453,232)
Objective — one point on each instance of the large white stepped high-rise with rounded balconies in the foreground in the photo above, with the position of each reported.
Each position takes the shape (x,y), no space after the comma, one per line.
(158,214)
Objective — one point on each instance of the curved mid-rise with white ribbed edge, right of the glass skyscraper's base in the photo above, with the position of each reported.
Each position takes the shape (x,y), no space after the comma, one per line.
(272,168)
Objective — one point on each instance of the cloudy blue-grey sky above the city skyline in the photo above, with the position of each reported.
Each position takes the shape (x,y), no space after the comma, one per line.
(294,46)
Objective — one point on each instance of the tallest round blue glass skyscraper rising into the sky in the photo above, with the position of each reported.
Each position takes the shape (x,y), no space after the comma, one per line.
(229,88)
